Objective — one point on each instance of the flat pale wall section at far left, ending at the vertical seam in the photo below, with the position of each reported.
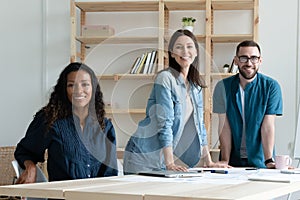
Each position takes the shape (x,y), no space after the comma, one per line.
(21,66)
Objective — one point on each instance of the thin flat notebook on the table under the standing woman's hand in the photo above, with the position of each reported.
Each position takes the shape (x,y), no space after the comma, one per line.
(170,174)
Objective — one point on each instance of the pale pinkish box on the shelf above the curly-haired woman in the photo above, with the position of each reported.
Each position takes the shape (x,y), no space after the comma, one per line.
(97,30)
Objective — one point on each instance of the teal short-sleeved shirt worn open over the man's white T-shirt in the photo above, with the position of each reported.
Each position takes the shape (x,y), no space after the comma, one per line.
(262,97)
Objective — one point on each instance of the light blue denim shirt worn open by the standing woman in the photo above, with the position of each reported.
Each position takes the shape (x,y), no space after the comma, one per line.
(164,122)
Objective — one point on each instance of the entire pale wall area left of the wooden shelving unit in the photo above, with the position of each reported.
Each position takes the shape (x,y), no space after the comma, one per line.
(35,47)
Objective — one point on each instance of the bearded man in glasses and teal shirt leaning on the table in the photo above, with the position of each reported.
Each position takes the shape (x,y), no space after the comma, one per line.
(247,104)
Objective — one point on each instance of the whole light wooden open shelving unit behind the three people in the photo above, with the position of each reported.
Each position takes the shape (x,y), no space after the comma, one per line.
(163,9)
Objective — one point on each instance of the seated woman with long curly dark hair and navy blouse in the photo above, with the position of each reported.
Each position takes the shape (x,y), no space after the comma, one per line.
(80,140)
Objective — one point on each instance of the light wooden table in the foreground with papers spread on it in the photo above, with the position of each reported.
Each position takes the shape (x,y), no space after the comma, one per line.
(234,185)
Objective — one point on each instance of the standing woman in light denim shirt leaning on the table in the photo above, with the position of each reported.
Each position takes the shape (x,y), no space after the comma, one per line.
(173,131)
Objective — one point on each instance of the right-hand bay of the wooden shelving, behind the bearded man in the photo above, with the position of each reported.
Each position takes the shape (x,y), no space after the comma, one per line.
(213,6)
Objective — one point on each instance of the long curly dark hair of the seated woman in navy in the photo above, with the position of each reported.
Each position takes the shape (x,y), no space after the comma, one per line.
(60,107)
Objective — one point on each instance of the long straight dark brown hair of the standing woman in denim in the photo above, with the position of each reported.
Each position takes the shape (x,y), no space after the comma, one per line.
(194,73)
